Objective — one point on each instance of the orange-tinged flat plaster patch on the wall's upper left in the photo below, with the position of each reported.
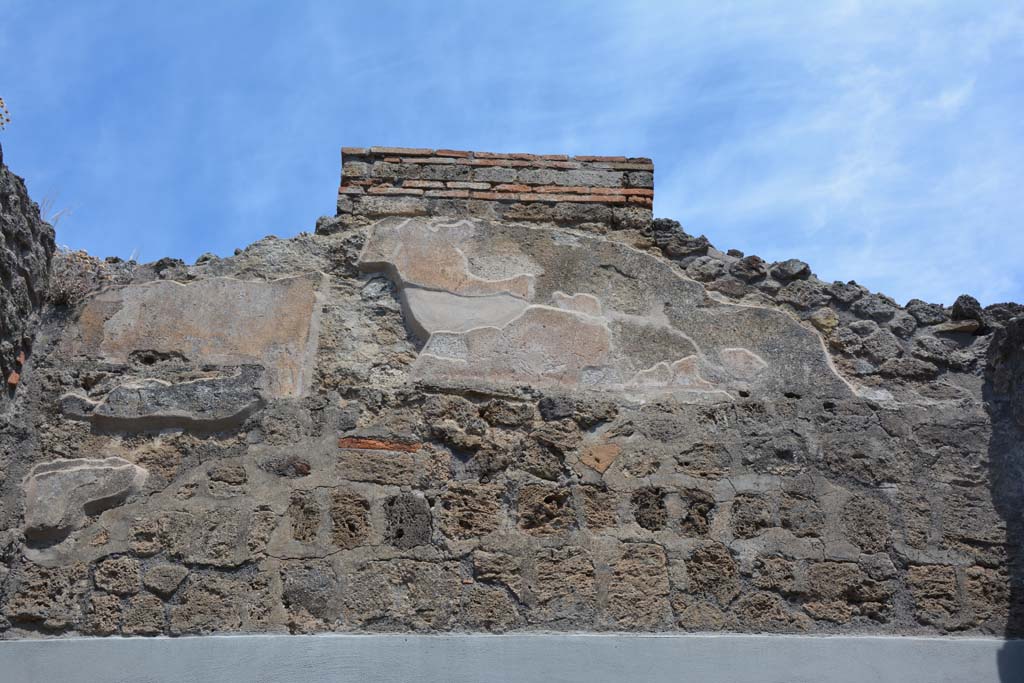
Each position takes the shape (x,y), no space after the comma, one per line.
(222,321)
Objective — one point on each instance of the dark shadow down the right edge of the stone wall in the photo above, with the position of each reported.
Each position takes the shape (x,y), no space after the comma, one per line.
(1004,395)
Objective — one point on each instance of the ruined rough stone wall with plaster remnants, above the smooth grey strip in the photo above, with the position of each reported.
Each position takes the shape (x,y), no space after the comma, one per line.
(451,422)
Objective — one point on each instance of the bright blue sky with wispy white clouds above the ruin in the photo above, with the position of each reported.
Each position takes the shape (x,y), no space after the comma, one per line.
(880,142)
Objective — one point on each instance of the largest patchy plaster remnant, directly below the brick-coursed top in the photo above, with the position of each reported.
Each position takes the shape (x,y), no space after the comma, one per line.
(580,313)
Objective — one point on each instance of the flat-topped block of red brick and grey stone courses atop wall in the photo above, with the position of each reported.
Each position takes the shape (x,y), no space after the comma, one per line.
(606,192)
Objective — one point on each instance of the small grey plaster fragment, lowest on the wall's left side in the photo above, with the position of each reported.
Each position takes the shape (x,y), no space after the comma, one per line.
(60,496)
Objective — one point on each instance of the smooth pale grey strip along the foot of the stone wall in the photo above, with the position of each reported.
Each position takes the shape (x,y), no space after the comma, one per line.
(548,658)
